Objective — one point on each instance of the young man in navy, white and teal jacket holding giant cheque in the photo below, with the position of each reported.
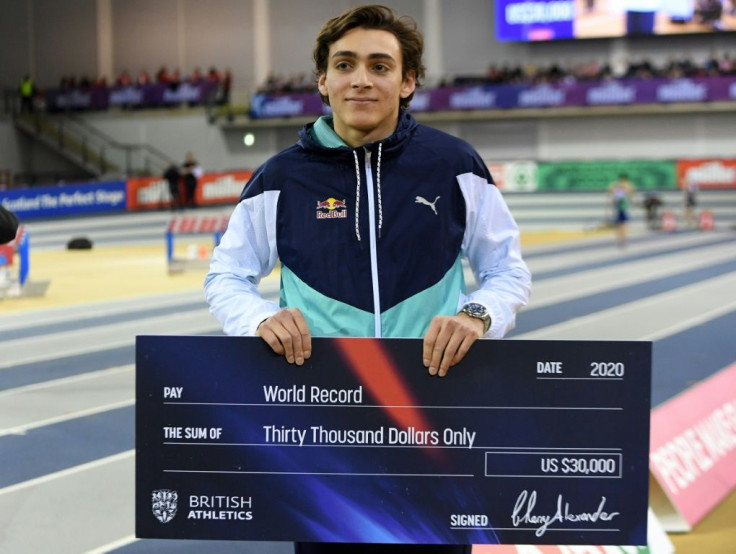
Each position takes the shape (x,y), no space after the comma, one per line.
(370,214)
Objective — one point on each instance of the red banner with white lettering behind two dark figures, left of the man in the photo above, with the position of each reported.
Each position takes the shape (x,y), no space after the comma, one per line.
(145,193)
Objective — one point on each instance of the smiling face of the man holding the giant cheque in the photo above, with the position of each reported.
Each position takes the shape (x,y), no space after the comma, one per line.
(364,84)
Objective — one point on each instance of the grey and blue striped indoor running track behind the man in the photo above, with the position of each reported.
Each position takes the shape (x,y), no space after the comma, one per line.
(67,375)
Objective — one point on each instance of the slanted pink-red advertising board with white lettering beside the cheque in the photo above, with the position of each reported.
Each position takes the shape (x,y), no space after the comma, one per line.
(693,451)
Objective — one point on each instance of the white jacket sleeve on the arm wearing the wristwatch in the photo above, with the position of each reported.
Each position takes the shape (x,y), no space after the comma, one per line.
(492,246)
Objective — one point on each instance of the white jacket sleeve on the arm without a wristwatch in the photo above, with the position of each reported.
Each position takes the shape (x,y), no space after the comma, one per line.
(246,254)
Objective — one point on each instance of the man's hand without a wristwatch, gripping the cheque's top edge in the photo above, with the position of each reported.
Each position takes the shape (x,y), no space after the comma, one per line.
(287,333)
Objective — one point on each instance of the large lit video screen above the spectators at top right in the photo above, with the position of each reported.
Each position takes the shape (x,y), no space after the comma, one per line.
(542,20)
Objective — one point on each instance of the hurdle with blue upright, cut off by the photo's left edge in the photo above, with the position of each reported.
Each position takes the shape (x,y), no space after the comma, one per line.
(20,285)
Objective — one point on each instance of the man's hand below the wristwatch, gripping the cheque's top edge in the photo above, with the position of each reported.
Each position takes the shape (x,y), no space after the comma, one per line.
(448,340)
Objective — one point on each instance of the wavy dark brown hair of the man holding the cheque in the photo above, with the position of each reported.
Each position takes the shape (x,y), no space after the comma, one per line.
(404,28)
